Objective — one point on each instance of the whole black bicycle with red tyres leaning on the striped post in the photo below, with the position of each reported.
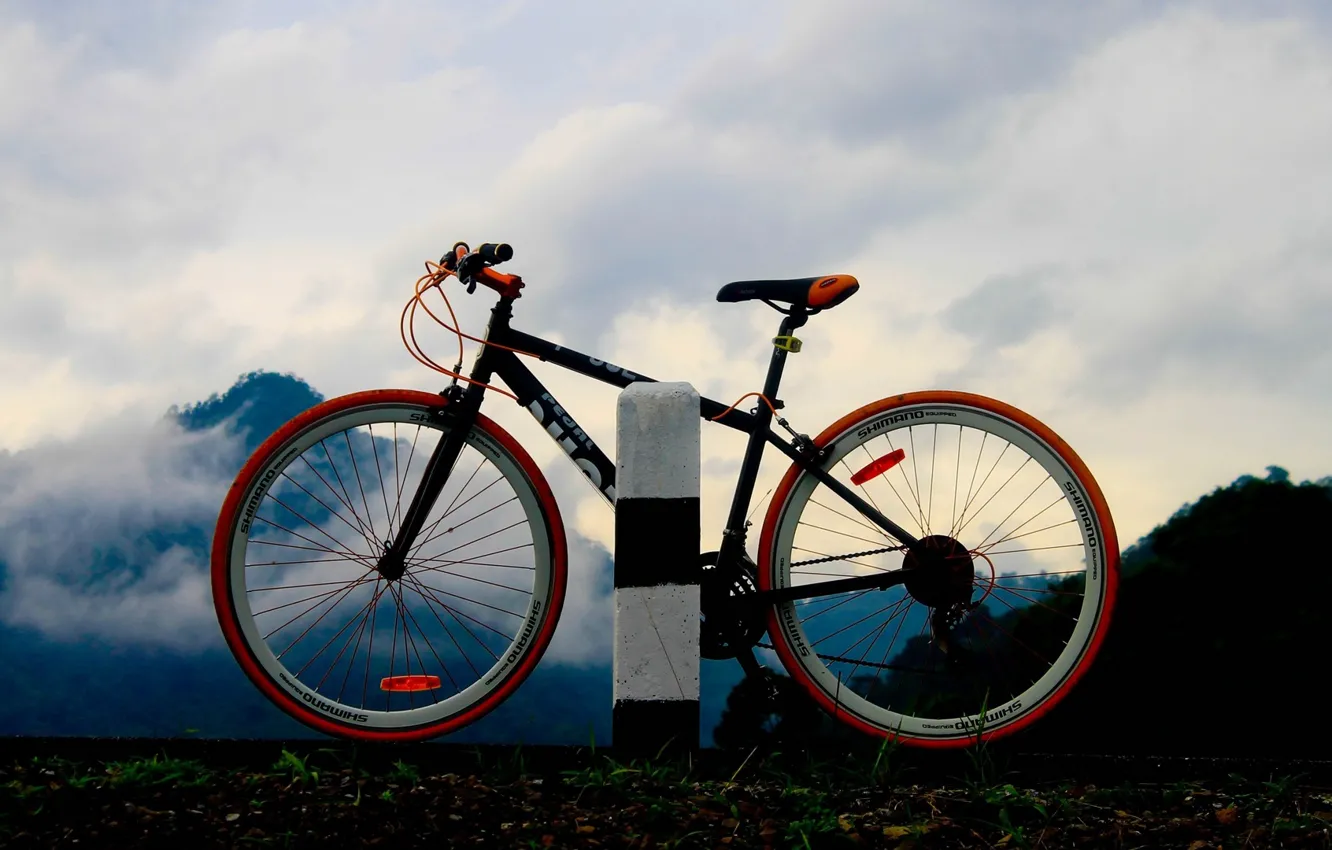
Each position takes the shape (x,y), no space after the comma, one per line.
(480,546)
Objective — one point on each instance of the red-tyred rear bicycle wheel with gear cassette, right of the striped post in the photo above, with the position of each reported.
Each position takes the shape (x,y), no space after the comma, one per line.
(1014,572)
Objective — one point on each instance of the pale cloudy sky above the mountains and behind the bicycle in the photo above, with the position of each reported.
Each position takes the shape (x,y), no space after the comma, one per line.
(1113,215)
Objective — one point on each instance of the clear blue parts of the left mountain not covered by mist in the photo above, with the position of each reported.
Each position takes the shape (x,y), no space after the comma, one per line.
(102,687)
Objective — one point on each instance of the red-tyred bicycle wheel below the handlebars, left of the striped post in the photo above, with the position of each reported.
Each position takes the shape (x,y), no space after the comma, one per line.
(323,634)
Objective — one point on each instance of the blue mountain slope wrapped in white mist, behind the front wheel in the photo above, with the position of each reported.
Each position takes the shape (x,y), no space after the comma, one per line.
(106,616)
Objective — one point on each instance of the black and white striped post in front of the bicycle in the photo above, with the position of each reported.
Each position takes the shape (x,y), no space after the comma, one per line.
(657,570)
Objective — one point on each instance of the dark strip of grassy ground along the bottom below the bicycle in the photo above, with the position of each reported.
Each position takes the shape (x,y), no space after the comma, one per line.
(744,800)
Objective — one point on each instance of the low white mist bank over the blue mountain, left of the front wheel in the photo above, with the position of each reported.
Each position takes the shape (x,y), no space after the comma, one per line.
(105,536)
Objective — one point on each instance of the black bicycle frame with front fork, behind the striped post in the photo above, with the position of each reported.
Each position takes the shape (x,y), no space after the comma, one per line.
(601,471)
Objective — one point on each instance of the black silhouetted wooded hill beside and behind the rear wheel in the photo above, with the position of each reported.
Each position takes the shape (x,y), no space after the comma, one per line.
(1218,645)
